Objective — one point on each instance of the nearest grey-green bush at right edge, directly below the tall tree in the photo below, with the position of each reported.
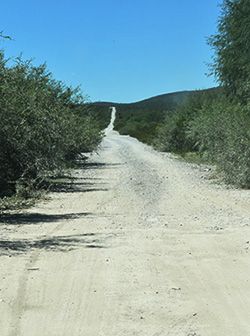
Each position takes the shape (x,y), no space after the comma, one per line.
(222,132)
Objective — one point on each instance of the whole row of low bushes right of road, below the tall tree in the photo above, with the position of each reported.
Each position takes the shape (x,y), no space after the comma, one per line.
(214,127)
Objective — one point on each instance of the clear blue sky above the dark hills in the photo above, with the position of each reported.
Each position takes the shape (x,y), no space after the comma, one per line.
(117,50)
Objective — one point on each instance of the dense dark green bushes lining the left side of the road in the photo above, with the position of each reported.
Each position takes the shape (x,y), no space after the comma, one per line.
(44,125)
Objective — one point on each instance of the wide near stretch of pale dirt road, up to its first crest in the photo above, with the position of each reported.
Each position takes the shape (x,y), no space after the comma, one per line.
(140,244)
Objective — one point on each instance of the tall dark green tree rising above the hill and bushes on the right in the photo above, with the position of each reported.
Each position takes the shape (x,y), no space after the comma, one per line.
(232,48)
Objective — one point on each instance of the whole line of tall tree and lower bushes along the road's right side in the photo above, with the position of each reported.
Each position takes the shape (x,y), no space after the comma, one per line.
(216,124)
